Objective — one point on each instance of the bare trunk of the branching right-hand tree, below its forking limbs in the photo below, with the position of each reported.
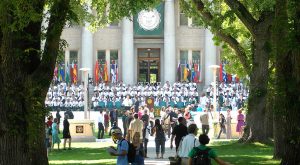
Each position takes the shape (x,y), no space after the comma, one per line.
(258,85)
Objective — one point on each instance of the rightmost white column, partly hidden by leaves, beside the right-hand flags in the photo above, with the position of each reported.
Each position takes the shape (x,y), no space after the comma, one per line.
(210,57)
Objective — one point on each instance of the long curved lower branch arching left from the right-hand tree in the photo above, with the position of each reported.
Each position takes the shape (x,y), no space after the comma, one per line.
(219,32)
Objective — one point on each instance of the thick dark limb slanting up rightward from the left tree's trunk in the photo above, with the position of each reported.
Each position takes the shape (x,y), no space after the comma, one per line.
(44,72)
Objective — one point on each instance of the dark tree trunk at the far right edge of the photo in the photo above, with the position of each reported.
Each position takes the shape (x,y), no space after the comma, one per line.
(287,69)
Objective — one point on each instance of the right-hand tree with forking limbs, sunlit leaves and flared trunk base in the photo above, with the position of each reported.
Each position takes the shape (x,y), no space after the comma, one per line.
(230,21)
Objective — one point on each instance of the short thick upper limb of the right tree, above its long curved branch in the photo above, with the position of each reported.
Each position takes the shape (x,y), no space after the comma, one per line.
(243,14)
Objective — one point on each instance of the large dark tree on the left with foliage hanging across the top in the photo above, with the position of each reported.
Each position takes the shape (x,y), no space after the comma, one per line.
(26,69)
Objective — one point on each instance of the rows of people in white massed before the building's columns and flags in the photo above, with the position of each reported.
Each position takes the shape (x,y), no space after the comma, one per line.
(229,96)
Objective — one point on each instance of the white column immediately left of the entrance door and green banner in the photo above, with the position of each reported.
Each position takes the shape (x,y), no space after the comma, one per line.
(127,52)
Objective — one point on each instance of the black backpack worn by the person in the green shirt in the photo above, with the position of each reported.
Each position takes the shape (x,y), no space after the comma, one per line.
(201,158)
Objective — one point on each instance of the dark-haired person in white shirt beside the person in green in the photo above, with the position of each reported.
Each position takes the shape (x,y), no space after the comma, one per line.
(188,143)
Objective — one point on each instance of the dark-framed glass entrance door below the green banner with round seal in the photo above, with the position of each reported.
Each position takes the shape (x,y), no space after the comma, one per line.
(148,65)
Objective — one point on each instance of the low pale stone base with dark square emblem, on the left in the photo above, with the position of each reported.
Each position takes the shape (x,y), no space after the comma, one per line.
(82,130)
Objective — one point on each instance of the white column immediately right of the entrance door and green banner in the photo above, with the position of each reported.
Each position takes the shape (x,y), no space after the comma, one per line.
(169,43)
